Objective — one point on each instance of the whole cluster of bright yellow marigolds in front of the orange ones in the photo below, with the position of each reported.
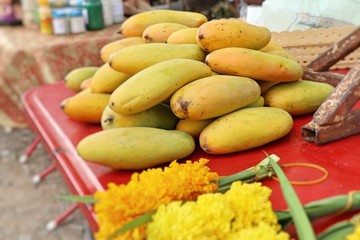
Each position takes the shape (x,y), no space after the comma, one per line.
(219,216)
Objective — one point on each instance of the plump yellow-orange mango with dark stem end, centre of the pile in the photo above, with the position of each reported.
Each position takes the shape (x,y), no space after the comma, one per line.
(213,96)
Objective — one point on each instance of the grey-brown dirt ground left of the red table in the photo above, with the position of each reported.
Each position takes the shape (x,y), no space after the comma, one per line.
(26,207)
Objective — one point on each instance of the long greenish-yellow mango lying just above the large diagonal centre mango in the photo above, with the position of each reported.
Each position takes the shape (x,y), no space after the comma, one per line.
(133,59)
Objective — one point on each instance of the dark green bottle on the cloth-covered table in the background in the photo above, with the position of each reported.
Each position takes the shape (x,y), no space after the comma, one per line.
(92,11)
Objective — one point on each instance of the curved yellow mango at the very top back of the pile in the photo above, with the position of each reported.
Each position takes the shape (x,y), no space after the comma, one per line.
(135,25)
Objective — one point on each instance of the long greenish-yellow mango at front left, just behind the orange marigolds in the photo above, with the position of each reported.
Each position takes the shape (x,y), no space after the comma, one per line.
(135,148)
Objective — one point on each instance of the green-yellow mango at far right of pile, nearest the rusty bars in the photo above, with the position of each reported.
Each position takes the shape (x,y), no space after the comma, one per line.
(299,97)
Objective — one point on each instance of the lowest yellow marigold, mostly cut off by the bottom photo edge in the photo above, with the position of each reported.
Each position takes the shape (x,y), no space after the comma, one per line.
(261,232)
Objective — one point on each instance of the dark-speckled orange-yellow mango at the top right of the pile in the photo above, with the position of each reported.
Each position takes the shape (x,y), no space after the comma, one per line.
(231,32)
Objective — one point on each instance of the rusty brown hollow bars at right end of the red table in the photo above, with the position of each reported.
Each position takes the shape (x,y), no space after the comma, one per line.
(335,118)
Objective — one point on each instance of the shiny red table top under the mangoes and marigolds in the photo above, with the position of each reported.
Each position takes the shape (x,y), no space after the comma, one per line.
(61,135)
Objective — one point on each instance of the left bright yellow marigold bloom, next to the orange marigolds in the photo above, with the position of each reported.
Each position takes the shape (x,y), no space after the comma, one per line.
(207,218)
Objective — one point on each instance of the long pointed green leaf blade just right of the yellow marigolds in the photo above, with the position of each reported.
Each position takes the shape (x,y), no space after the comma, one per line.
(302,223)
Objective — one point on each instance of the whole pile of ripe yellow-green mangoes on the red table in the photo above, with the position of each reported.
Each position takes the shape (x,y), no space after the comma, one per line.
(177,81)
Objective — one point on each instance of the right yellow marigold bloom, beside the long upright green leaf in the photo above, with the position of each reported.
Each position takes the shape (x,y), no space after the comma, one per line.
(251,204)
